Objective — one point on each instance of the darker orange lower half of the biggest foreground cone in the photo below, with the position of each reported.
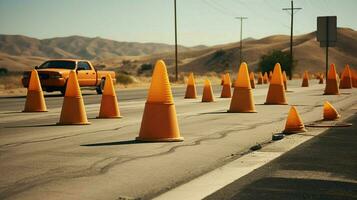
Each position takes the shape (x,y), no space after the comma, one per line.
(159,123)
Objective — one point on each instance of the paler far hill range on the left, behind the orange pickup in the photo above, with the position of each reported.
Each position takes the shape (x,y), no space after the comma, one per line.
(17,50)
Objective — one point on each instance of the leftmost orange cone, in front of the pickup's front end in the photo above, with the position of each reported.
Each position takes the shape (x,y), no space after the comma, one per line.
(35,101)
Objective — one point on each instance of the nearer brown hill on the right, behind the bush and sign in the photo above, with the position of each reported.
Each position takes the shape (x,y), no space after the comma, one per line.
(307,51)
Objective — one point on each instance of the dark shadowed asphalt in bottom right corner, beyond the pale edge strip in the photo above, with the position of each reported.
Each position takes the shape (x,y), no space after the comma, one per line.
(323,168)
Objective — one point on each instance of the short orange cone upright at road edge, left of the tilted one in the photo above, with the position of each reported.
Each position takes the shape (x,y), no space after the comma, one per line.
(294,123)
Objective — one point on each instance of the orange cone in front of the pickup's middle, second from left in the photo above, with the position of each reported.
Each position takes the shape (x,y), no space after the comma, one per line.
(73,110)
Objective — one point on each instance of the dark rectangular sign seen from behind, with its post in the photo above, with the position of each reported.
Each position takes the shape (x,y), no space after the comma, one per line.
(327,33)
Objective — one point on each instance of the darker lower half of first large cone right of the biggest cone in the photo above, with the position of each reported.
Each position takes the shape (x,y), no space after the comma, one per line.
(242,101)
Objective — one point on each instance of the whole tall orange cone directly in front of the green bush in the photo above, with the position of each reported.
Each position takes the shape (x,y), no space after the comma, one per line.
(276,92)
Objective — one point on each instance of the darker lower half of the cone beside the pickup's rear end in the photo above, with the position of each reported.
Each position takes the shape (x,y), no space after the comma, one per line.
(111,111)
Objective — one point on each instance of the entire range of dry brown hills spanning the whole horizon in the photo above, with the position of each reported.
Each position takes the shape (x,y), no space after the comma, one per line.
(21,52)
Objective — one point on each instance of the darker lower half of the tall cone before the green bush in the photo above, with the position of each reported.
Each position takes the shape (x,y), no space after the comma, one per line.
(276,95)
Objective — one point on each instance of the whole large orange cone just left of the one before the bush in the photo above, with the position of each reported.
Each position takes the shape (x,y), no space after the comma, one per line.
(242,100)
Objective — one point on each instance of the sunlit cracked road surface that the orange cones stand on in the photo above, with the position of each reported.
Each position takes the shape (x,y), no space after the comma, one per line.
(40,160)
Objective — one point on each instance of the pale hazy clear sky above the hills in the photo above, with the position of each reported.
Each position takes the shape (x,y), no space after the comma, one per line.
(200,22)
